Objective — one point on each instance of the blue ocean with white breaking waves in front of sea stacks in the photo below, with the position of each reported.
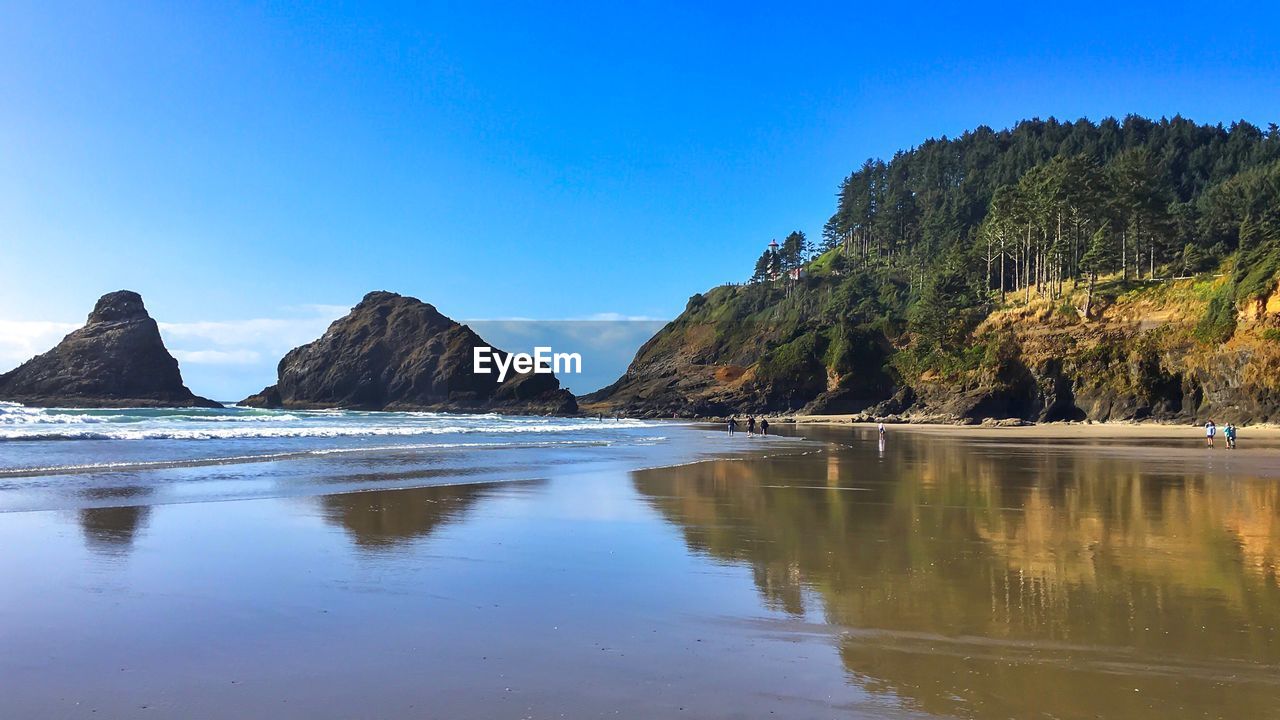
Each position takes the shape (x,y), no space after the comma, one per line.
(54,459)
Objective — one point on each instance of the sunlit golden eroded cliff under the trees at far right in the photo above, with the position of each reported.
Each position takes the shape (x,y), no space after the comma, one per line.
(1139,358)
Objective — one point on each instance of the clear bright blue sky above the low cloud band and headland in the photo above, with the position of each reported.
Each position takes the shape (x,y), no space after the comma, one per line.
(240,162)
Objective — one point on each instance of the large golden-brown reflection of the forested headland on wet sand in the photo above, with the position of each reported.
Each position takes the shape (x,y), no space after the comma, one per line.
(1008,581)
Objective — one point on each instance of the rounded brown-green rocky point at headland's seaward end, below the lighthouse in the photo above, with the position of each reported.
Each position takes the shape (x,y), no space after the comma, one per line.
(751,349)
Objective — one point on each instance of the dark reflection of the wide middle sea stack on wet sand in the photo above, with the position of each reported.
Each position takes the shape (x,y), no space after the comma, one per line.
(388,517)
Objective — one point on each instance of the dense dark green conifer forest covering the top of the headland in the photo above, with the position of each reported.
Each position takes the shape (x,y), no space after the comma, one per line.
(954,226)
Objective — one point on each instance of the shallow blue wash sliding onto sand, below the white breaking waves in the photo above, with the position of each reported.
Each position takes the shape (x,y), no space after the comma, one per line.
(67,476)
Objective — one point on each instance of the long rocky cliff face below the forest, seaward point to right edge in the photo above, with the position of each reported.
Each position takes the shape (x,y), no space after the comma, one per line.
(1136,358)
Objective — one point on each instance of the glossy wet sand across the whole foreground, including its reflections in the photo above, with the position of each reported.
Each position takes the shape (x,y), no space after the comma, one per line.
(938,576)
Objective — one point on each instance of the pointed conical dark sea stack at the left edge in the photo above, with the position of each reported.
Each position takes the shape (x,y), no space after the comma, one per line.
(116,361)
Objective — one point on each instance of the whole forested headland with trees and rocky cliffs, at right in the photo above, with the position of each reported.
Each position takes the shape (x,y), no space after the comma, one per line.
(1122,270)
